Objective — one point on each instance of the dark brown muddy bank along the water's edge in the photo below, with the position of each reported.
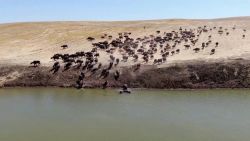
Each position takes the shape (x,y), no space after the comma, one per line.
(235,74)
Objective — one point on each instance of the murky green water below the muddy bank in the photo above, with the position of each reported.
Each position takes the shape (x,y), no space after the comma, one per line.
(146,115)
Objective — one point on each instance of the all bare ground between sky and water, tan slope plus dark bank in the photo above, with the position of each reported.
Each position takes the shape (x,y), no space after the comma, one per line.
(21,43)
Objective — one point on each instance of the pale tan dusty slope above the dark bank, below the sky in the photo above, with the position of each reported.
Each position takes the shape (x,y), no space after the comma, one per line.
(22,43)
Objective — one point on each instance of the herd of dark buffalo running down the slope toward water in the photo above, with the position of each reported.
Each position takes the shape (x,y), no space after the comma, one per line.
(153,49)
